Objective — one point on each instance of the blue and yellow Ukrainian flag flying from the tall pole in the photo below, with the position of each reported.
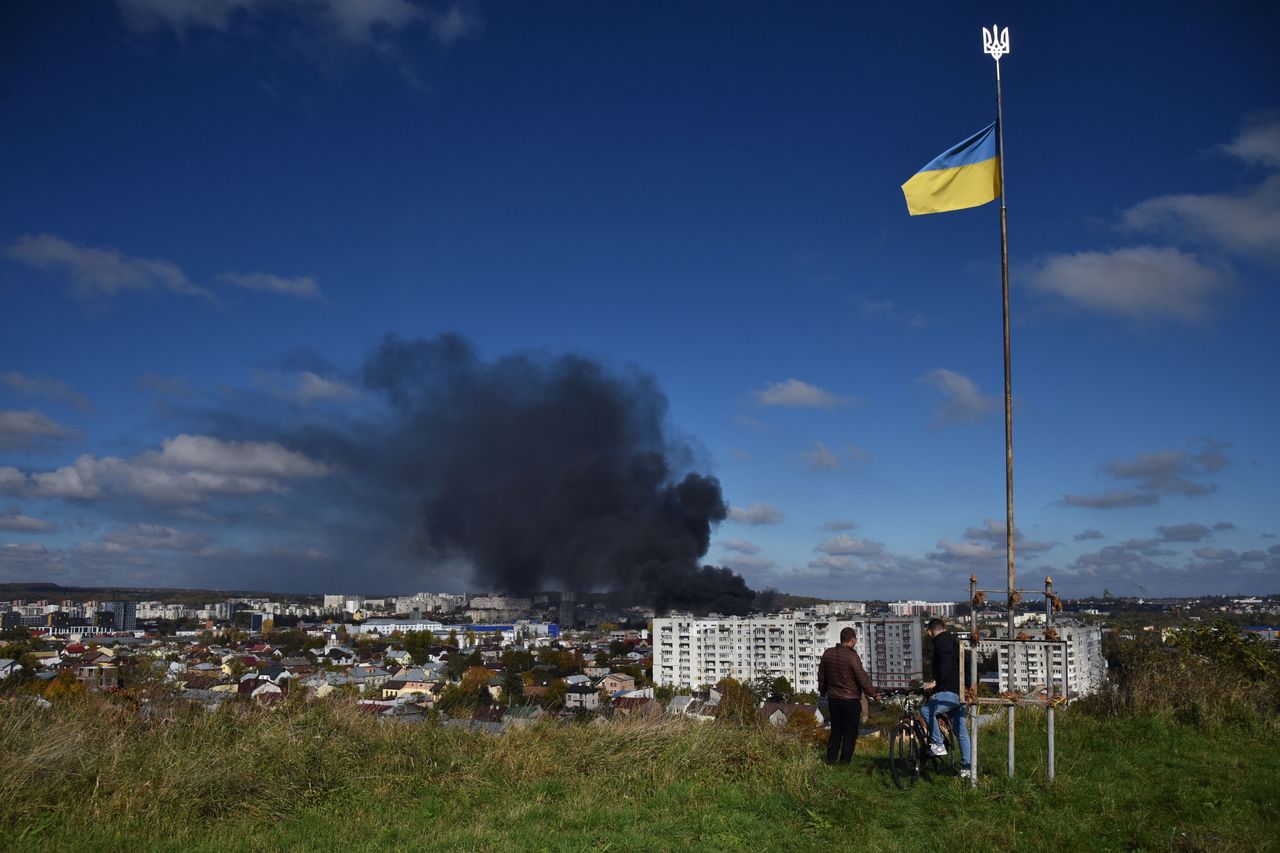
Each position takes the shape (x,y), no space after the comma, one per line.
(964,176)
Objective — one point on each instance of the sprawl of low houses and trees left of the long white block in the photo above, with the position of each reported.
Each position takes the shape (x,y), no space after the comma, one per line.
(488,687)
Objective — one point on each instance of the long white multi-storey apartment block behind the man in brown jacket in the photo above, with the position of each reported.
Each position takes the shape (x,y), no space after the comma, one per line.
(692,653)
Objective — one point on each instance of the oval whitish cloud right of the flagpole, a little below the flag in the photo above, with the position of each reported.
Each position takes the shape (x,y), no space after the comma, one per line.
(1140,284)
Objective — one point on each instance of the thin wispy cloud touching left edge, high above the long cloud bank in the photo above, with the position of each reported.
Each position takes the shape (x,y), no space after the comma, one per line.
(102,272)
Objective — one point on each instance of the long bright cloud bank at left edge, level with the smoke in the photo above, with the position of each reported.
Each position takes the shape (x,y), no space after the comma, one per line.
(188,469)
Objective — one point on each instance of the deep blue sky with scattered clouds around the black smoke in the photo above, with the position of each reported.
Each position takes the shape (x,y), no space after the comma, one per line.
(217,209)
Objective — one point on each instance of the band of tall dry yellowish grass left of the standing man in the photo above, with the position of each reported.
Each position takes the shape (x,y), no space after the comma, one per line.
(173,765)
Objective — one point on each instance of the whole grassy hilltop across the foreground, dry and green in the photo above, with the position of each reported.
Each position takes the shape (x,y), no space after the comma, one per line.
(90,776)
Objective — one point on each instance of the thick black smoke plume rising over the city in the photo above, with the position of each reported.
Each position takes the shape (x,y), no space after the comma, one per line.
(551,472)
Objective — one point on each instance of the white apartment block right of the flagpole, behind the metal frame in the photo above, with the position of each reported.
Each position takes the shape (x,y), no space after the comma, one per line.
(1026,668)
